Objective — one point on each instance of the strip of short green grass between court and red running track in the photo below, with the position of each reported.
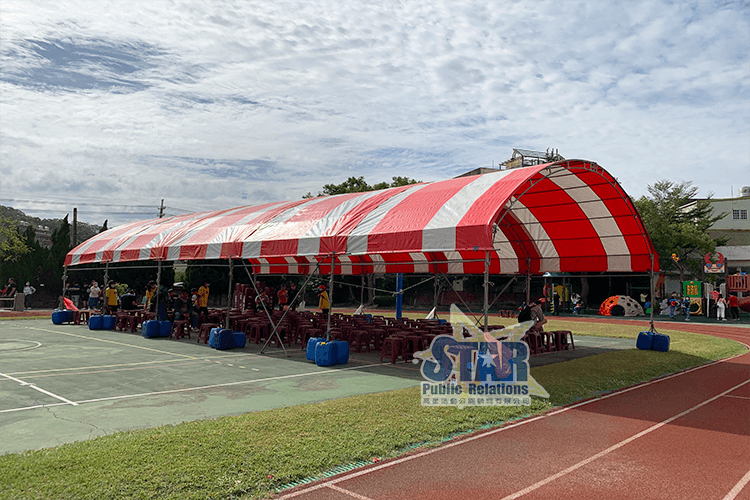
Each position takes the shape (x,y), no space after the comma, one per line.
(251,455)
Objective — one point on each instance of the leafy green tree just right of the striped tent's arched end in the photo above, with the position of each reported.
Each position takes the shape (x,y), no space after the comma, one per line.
(677,224)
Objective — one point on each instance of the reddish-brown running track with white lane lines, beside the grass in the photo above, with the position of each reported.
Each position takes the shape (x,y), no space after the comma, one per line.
(686,436)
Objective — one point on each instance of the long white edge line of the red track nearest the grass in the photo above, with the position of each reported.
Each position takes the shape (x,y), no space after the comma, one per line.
(498,430)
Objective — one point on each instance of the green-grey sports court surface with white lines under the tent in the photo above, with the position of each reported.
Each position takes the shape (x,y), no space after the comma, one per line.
(65,383)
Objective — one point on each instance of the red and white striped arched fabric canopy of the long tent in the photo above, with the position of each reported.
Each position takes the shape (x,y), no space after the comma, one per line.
(567,216)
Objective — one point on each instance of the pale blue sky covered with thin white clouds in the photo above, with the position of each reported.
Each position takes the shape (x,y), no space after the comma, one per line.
(113,106)
